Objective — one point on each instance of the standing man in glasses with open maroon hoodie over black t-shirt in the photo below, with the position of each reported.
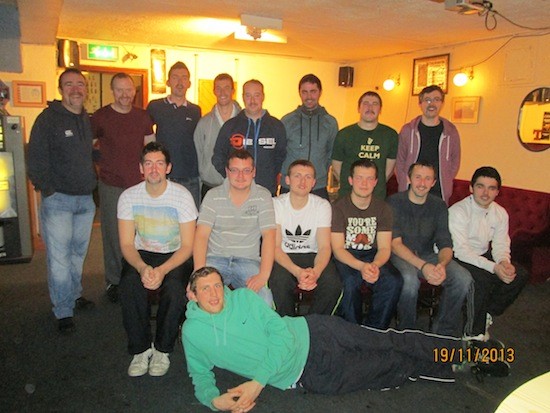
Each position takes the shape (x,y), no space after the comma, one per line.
(432,139)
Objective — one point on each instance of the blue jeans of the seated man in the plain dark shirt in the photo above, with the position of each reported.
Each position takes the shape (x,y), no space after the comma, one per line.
(455,288)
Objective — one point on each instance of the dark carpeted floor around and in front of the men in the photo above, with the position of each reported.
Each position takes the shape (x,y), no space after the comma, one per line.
(41,371)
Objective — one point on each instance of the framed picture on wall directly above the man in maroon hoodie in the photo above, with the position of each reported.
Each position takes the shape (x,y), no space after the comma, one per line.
(432,70)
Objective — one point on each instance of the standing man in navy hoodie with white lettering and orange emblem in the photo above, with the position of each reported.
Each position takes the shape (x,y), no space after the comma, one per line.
(256,131)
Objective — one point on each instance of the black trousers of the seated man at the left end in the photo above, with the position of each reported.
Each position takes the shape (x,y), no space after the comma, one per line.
(136,309)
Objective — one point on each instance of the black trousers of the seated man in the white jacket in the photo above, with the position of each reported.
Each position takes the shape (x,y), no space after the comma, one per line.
(491,294)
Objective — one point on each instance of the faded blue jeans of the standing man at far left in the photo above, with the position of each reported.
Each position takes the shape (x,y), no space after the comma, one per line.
(66,225)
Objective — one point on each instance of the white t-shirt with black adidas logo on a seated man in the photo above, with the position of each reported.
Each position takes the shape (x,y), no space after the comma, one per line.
(299,227)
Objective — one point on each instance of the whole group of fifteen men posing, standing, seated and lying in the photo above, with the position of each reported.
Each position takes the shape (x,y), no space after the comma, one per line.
(150,191)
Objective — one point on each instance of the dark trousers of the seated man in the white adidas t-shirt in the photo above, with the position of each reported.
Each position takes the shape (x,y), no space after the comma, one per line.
(283,284)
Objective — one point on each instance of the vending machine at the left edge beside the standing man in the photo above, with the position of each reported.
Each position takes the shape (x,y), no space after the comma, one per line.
(15,224)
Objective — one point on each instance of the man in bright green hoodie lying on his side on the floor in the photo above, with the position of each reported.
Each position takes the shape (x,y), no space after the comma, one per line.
(237,331)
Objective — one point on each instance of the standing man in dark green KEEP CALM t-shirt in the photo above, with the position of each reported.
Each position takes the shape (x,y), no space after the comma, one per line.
(366,139)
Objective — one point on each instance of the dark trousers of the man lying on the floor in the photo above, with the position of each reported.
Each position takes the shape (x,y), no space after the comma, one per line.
(346,357)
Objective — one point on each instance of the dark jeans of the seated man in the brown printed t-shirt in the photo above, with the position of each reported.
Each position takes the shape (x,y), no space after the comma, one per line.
(385,293)
